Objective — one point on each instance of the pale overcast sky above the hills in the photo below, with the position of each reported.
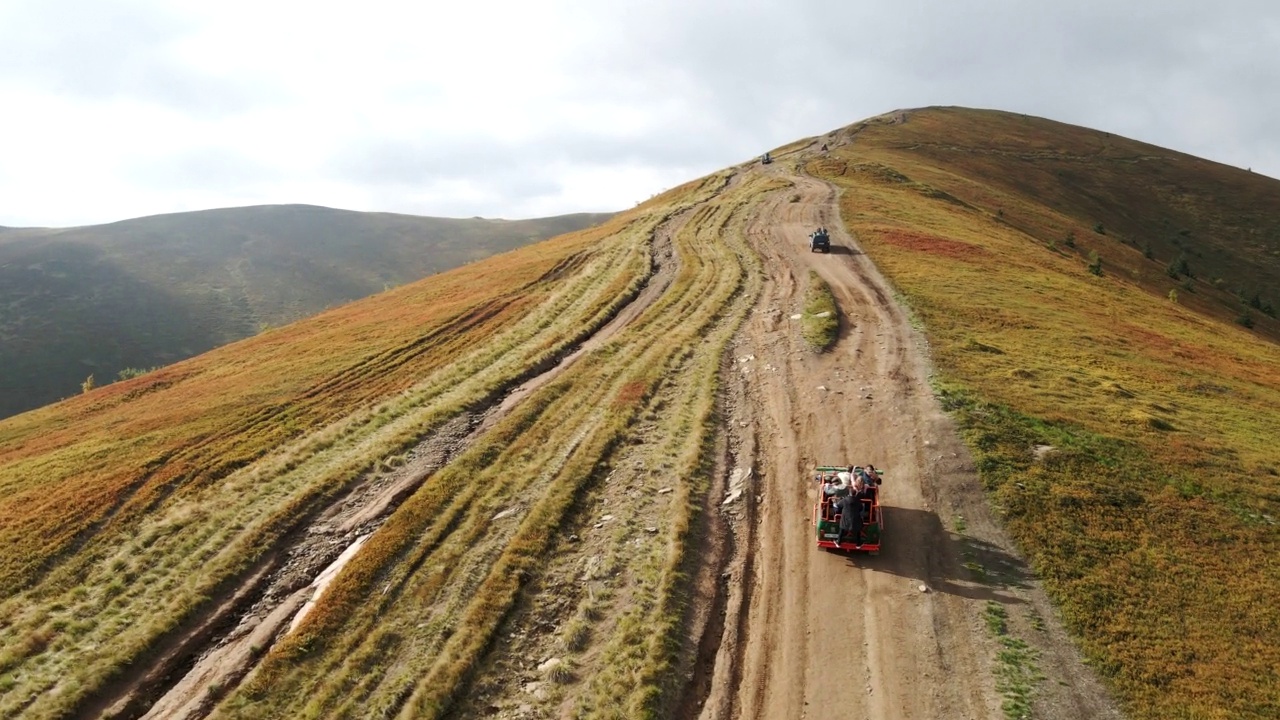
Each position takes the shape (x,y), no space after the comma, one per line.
(113,110)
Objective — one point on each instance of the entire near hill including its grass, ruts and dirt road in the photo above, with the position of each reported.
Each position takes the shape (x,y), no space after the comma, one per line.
(575,480)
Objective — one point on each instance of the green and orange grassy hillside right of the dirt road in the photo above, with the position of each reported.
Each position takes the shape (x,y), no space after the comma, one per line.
(1037,257)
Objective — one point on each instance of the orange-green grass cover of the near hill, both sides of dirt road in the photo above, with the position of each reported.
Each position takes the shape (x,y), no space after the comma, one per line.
(1124,432)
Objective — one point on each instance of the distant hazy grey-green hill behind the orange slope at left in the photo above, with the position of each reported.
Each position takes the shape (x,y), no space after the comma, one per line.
(152,291)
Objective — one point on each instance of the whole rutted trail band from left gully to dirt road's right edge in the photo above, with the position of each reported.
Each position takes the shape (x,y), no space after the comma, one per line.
(609,534)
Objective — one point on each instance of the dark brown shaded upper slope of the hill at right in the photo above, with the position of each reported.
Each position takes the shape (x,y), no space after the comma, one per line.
(1112,195)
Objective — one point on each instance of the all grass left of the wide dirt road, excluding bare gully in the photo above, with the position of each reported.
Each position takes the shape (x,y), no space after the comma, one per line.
(129,514)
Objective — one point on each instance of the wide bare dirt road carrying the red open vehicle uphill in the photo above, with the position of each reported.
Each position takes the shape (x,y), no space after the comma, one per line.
(817,635)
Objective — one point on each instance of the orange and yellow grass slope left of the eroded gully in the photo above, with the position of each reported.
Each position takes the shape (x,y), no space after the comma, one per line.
(109,546)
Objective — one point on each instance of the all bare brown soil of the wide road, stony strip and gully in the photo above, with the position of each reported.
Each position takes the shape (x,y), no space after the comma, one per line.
(778,627)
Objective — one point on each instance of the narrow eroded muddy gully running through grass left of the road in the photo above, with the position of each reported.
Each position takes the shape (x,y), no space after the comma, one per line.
(264,607)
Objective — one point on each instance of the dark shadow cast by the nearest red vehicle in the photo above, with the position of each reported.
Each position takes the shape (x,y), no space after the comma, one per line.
(917,546)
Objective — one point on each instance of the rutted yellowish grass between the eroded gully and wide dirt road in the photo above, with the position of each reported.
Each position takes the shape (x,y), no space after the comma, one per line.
(442,552)
